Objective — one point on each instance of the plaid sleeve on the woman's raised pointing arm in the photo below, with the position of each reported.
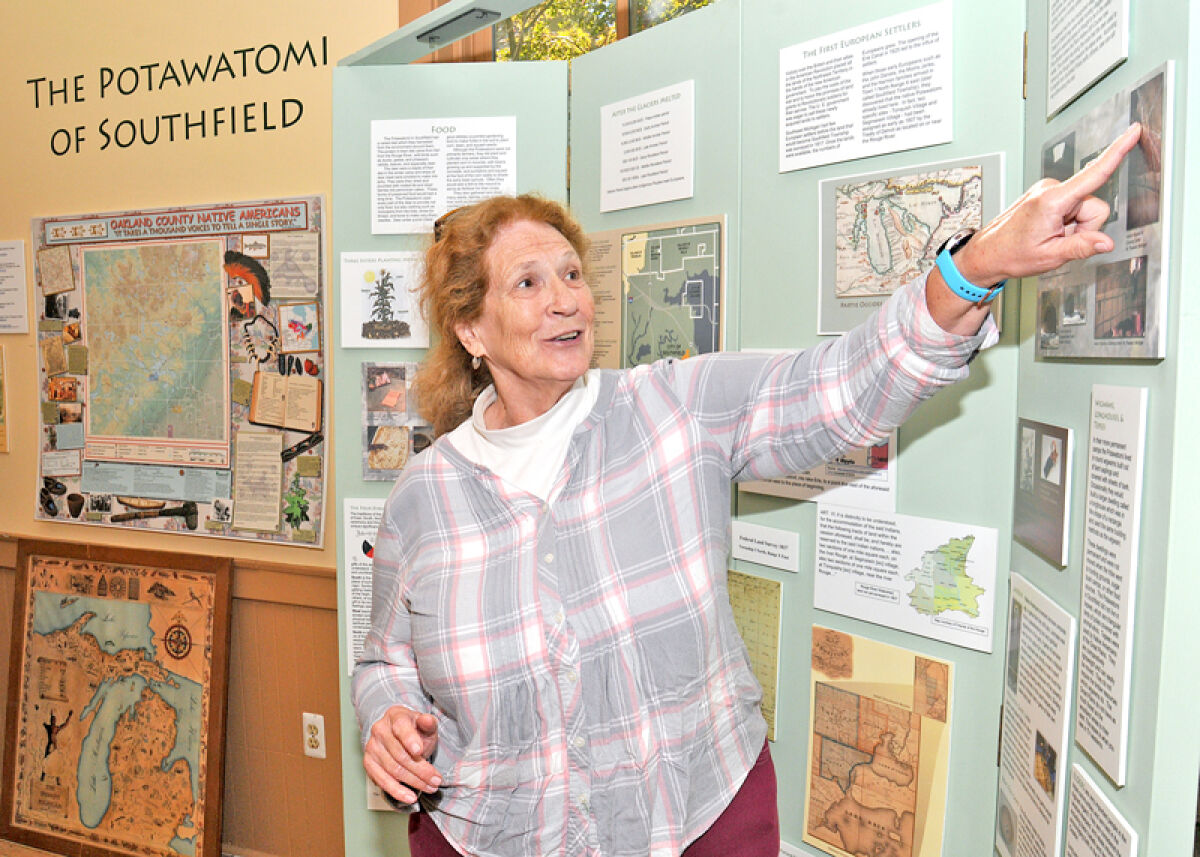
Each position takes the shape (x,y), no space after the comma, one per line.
(788,413)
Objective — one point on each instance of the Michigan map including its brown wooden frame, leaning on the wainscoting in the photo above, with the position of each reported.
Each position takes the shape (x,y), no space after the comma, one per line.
(116,726)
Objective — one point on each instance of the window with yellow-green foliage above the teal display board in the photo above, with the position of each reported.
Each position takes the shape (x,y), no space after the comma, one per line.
(562,29)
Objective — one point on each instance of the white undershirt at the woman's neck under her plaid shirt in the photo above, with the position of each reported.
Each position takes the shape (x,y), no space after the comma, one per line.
(531,456)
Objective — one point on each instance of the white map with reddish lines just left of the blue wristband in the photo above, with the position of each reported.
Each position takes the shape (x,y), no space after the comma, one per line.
(889,231)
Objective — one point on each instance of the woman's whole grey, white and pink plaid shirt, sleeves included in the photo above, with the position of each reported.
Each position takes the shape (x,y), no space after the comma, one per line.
(592,692)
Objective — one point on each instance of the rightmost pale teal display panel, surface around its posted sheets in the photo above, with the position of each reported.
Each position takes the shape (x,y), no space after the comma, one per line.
(1160,796)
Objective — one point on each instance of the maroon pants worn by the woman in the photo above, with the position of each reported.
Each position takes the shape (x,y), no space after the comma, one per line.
(749,826)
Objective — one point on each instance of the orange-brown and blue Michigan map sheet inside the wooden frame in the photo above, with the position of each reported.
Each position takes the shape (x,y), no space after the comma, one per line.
(112,724)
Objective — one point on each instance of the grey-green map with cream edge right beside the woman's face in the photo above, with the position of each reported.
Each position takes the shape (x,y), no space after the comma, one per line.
(671,280)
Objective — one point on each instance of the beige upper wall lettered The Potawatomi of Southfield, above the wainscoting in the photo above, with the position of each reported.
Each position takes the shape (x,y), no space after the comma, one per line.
(61,40)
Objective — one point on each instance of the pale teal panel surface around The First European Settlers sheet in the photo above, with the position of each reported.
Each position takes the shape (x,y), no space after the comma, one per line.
(956,462)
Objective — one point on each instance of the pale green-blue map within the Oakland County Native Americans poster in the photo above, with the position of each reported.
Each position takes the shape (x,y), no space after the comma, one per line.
(157,341)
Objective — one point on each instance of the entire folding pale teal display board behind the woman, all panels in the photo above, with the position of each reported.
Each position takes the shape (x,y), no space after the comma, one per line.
(957,456)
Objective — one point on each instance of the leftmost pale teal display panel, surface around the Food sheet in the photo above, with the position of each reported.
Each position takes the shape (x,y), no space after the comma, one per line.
(537,95)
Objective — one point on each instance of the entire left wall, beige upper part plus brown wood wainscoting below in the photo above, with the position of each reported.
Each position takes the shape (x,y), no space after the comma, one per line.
(284,657)
